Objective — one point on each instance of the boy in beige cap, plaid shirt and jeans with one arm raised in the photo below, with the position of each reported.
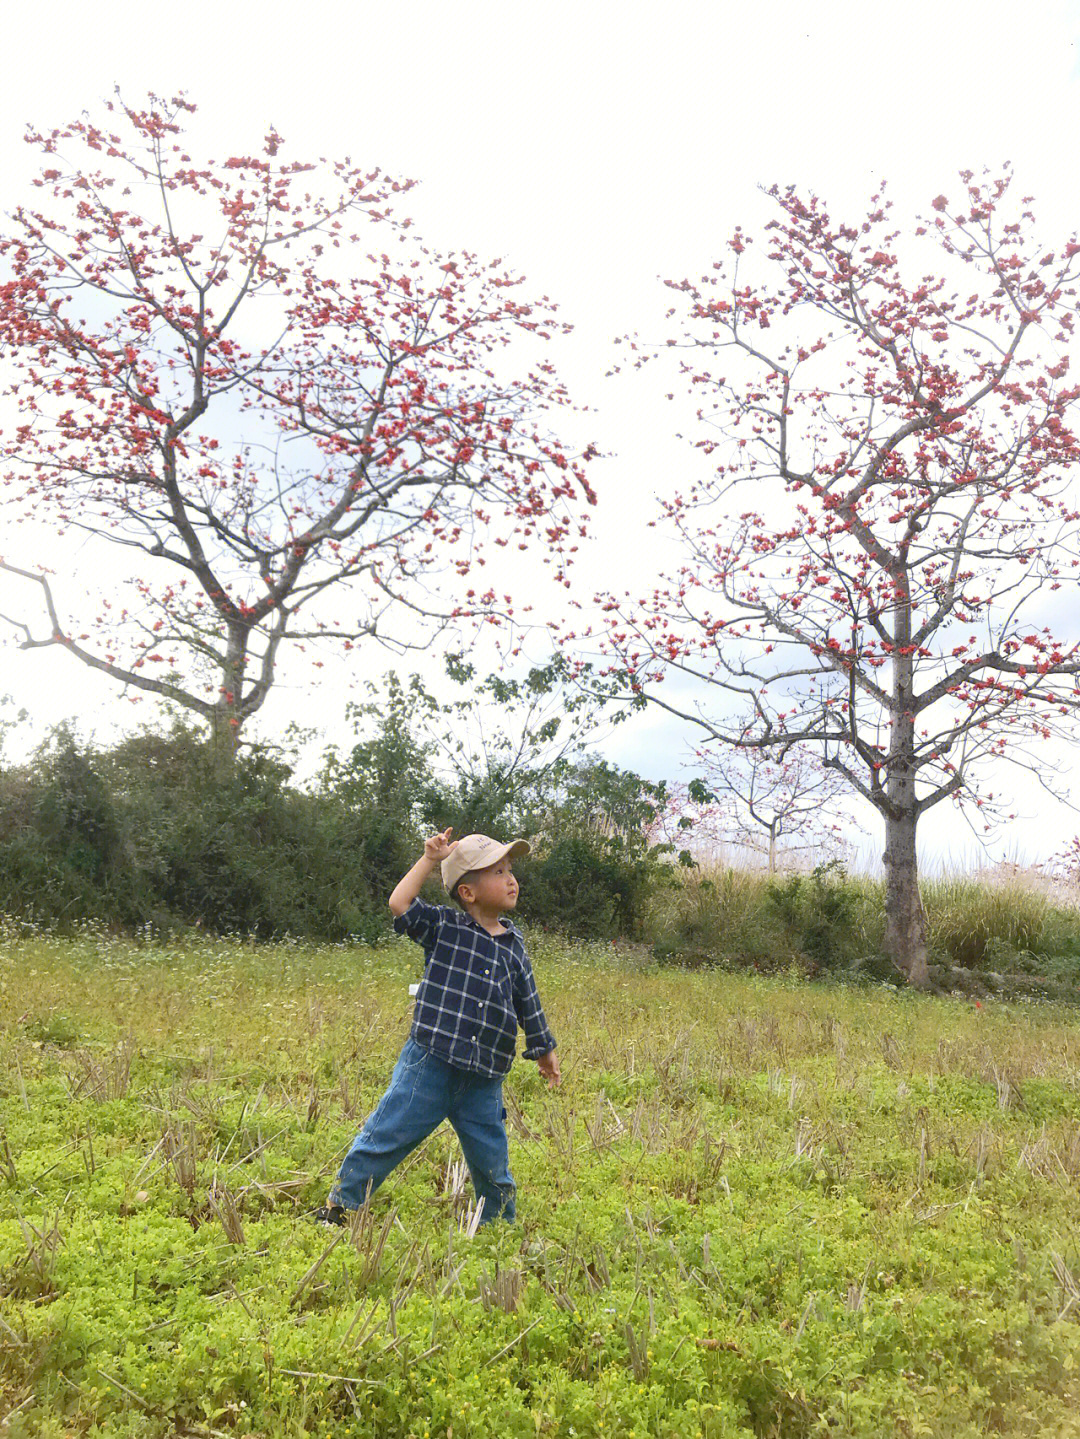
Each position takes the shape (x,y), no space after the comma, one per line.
(478,988)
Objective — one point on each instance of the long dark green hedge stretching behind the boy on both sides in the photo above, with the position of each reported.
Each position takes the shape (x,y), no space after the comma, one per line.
(156,832)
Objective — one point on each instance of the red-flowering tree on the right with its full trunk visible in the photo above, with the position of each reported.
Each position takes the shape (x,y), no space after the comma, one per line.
(878,558)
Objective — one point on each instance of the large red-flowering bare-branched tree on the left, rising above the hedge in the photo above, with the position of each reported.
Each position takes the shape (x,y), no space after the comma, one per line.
(252,379)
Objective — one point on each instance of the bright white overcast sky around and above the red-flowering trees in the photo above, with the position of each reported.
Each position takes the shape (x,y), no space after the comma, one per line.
(596,147)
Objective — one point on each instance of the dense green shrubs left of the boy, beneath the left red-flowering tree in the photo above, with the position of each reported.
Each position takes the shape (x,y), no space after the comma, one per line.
(156,832)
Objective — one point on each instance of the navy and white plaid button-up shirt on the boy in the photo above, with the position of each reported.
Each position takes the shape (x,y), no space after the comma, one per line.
(477,989)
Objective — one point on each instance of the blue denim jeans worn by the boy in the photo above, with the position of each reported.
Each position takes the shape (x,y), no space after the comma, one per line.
(425,1091)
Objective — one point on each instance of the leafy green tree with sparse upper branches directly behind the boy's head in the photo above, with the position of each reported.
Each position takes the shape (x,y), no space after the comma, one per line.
(510,756)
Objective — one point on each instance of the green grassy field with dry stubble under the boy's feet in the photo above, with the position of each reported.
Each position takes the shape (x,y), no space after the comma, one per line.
(754,1208)
